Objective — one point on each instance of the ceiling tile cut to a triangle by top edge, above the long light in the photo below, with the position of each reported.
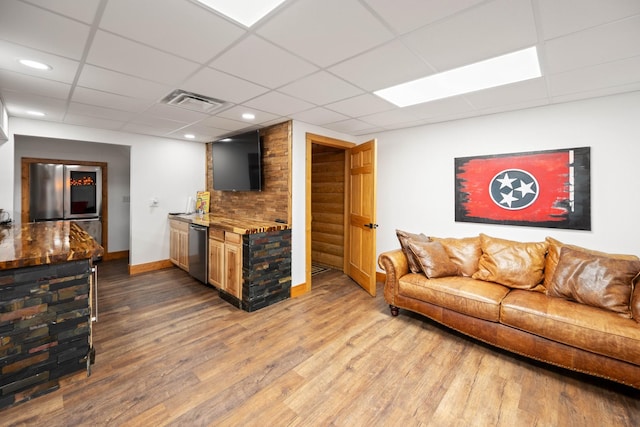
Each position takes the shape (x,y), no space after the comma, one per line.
(407,15)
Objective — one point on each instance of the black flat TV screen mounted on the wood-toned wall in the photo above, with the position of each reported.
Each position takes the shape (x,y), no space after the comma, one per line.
(237,162)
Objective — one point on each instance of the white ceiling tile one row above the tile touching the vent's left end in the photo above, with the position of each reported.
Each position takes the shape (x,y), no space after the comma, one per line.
(119,54)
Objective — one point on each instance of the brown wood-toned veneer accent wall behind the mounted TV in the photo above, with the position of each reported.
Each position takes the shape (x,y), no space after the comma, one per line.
(274,201)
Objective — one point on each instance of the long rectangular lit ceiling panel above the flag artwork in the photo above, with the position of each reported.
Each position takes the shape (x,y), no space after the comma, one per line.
(510,68)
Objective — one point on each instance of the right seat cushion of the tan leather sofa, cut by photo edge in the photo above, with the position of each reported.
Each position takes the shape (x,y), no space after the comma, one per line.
(578,325)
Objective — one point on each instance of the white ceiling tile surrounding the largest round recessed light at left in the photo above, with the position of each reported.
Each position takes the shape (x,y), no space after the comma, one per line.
(63,70)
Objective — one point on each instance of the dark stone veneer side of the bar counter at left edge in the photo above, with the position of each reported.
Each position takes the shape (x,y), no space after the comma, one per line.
(44,328)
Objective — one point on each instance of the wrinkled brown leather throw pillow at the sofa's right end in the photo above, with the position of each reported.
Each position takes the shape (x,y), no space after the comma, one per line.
(596,280)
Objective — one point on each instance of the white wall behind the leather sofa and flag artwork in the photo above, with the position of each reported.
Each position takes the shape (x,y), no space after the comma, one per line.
(415,182)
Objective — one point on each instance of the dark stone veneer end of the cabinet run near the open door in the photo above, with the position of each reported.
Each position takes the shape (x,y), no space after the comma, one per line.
(266,269)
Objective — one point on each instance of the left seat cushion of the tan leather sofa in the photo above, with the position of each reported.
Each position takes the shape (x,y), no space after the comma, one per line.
(462,294)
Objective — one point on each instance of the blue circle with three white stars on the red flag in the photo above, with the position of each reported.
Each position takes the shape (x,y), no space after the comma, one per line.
(514,189)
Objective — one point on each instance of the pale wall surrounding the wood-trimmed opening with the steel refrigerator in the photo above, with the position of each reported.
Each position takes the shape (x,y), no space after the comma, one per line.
(117,158)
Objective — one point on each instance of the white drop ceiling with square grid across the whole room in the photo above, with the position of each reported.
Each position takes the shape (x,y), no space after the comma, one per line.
(113,61)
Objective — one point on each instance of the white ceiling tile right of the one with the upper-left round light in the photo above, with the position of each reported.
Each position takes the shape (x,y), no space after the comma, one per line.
(114,82)
